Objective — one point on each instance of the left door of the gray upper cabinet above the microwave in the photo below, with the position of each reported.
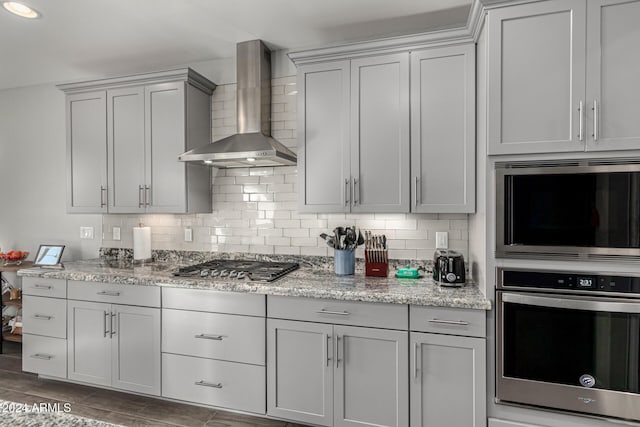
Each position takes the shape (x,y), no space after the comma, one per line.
(536,77)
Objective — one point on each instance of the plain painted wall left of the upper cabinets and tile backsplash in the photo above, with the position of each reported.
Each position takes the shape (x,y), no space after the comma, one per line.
(32,175)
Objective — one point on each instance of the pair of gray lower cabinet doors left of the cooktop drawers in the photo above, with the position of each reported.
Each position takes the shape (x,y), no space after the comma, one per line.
(114,345)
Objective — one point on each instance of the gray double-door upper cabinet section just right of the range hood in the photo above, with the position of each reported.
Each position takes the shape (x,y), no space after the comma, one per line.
(353,135)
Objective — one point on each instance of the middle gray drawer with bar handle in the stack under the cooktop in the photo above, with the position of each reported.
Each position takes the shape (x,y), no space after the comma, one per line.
(214,335)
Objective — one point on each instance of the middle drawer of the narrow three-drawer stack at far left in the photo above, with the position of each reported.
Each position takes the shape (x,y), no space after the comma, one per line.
(44,316)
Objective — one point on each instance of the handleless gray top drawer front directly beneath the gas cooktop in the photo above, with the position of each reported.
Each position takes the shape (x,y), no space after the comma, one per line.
(213,301)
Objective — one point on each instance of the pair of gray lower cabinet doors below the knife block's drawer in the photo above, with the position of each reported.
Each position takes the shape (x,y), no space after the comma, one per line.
(336,375)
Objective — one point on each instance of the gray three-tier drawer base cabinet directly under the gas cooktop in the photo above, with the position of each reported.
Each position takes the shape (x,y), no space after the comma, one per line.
(213,348)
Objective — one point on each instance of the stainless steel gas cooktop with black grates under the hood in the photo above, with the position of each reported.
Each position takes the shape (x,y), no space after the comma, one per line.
(262,271)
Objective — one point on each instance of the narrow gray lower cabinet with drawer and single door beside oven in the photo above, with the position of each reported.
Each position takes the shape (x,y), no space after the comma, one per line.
(448,367)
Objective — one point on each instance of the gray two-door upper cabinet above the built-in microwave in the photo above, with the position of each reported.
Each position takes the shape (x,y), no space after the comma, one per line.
(562,77)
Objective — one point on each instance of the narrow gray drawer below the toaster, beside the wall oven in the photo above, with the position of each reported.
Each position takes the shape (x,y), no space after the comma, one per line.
(452,321)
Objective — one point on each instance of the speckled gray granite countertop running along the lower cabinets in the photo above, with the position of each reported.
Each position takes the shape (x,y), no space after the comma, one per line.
(305,282)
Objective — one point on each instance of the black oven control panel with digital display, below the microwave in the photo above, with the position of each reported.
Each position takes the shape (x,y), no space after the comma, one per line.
(567,281)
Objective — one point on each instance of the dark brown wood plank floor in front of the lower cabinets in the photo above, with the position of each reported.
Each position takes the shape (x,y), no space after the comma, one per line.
(111,406)
